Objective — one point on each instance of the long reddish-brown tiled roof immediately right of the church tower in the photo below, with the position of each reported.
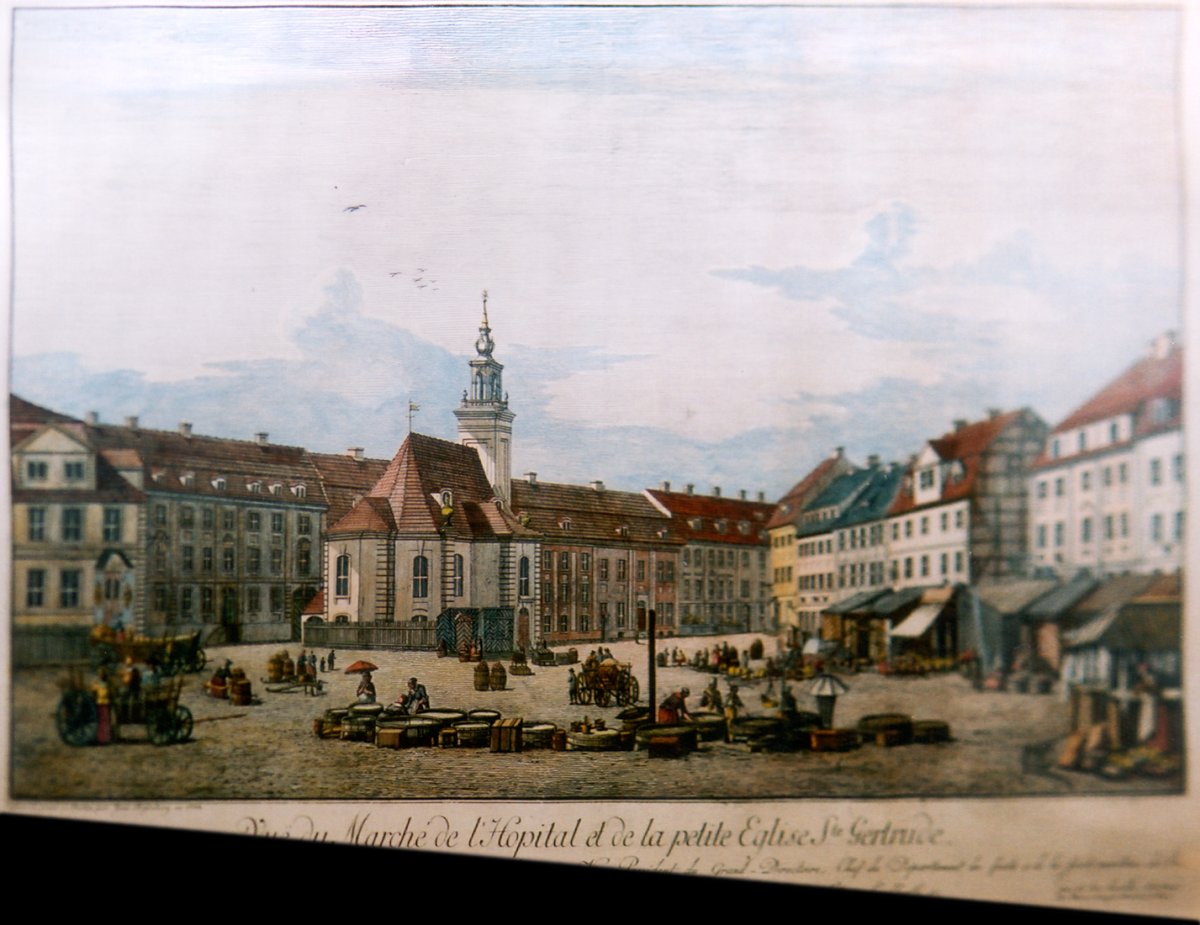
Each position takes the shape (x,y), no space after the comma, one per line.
(597,516)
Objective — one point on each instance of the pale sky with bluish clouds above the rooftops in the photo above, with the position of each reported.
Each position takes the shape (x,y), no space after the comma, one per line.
(718,243)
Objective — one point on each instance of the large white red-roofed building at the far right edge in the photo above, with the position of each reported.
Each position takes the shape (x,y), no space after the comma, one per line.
(1108,491)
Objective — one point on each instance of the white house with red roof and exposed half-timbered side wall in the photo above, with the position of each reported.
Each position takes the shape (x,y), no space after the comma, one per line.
(963,510)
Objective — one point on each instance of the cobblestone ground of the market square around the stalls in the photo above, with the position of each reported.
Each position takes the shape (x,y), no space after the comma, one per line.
(268,750)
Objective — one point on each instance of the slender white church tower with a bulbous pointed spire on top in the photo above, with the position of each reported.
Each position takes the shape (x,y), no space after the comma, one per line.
(484,418)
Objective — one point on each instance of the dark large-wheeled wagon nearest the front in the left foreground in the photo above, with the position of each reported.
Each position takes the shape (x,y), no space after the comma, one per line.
(89,717)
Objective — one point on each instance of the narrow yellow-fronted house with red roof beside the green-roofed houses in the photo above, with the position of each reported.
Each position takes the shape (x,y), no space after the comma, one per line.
(784,551)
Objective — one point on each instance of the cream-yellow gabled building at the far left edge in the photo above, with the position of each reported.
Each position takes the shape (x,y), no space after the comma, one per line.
(77,558)
